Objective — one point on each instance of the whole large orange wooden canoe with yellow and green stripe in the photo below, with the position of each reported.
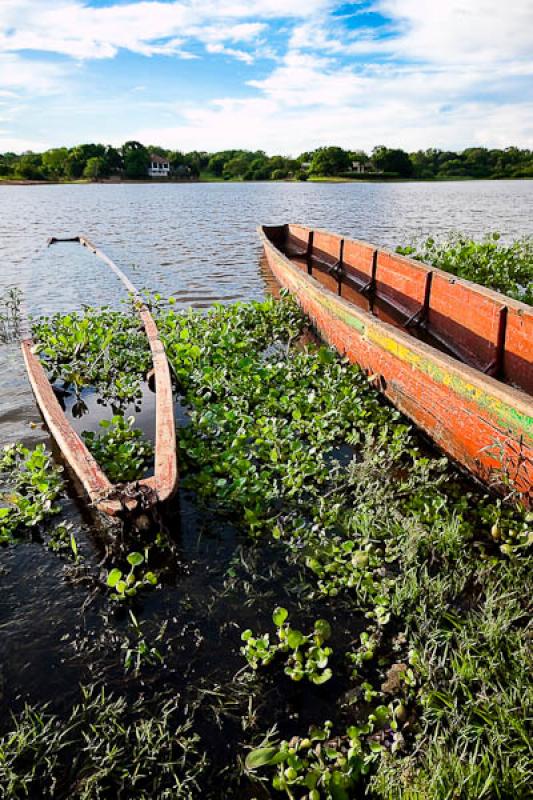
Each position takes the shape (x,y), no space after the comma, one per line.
(453,356)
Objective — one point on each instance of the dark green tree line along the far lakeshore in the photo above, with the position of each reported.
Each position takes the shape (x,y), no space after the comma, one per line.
(131,161)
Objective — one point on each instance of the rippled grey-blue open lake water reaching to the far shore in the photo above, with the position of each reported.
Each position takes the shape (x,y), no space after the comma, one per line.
(198,242)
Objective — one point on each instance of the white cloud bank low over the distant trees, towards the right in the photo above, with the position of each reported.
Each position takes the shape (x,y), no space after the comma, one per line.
(261,124)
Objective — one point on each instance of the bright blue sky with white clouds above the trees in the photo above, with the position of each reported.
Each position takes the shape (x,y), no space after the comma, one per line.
(279,75)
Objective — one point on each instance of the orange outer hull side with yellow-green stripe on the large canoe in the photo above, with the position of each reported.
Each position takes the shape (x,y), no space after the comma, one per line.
(480,423)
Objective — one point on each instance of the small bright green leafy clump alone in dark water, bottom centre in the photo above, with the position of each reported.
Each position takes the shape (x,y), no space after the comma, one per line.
(305,655)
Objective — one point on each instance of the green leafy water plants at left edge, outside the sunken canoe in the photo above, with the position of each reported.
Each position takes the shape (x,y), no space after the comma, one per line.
(32,484)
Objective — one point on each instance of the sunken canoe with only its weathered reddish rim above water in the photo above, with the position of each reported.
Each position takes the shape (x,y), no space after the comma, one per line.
(108,498)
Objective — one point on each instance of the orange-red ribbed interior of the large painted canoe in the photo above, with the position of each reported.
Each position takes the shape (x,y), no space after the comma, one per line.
(479,327)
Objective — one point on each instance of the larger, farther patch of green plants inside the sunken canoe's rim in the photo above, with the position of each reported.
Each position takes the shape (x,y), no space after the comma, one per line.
(105,349)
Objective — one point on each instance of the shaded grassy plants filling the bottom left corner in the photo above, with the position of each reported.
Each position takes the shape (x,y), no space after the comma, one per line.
(107,746)
